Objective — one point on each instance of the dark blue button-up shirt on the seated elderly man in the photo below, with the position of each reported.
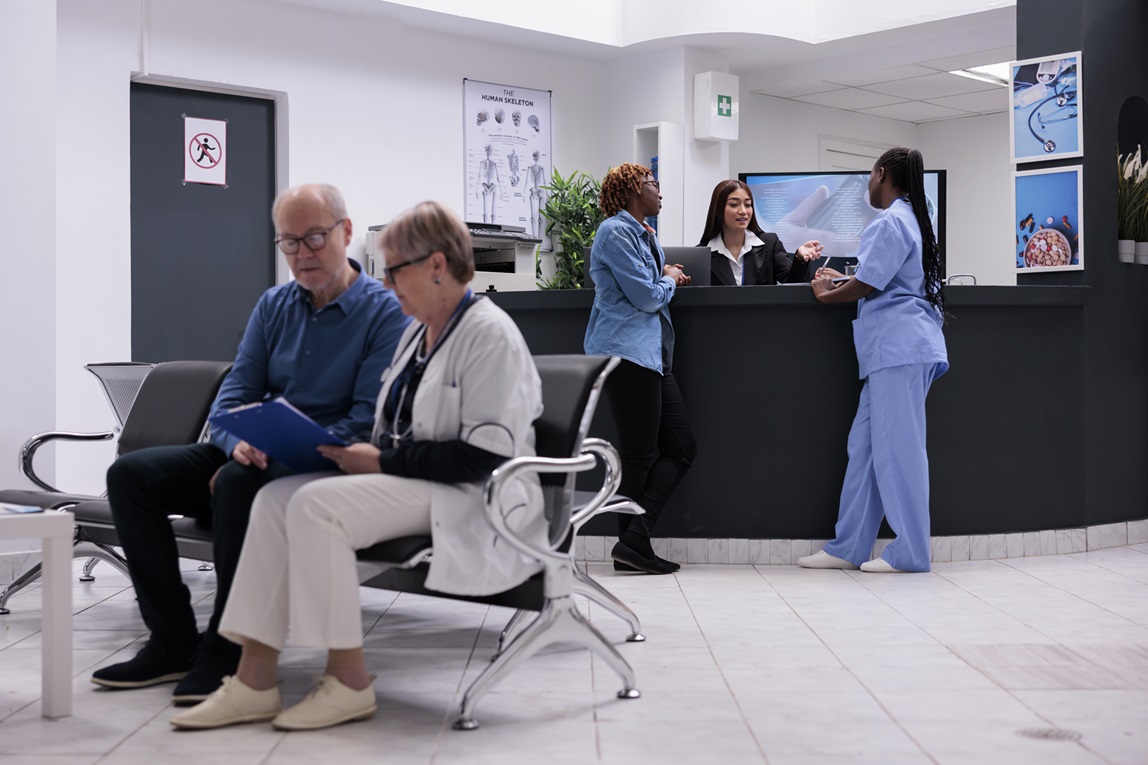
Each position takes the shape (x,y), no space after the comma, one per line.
(329,364)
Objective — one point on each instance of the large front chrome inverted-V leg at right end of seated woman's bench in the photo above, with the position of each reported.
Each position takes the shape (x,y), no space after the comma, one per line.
(560,622)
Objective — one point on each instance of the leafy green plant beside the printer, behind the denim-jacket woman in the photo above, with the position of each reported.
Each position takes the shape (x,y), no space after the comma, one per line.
(573,214)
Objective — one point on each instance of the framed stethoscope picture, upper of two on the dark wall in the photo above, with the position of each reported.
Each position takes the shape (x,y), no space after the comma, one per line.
(1048,120)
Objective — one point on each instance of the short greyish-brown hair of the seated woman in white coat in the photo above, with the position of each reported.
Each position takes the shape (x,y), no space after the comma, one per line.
(431,228)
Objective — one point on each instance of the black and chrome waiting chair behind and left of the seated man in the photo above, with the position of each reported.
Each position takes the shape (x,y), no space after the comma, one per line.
(170,408)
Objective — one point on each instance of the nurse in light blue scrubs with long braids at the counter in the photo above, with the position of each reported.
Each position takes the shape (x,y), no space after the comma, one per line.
(901,349)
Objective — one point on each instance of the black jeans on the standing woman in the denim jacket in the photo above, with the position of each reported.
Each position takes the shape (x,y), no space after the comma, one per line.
(656,439)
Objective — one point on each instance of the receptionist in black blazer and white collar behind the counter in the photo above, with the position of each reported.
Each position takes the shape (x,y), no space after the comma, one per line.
(741,252)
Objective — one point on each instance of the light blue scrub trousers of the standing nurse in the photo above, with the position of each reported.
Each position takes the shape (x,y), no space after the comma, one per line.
(888,474)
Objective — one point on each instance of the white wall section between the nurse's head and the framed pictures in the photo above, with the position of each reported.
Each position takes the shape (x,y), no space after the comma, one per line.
(980,225)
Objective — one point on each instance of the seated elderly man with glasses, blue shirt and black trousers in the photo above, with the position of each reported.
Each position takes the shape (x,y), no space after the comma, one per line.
(323,342)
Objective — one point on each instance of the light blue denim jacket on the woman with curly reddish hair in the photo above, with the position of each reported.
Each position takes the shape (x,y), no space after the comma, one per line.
(631,314)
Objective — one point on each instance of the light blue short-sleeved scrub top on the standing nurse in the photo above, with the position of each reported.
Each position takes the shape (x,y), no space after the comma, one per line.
(896,326)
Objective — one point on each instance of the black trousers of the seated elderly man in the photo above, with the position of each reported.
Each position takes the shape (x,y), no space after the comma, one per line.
(148,486)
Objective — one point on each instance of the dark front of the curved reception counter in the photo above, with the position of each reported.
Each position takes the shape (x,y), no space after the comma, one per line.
(770,376)
